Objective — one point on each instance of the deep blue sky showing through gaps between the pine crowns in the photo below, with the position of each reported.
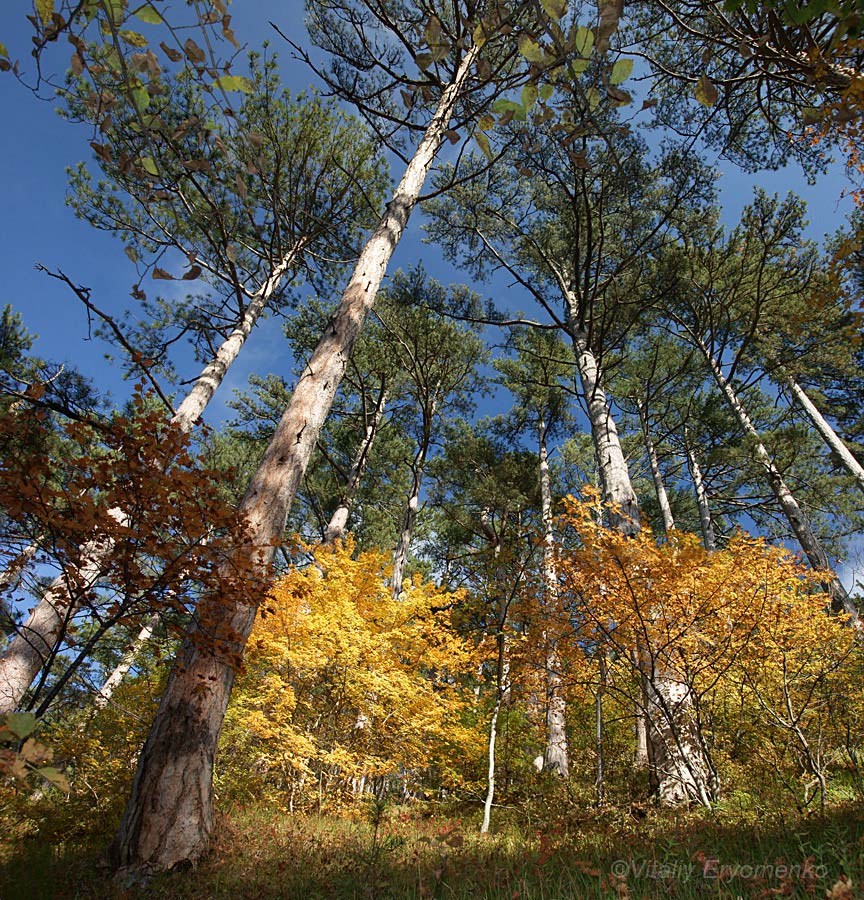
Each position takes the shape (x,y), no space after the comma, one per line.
(36,146)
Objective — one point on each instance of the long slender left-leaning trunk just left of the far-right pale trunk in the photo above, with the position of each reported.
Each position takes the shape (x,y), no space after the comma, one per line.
(798,521)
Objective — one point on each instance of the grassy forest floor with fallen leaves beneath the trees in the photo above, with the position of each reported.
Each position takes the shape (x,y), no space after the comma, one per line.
(424,851)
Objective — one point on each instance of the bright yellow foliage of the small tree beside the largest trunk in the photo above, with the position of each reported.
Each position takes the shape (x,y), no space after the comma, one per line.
(344,682)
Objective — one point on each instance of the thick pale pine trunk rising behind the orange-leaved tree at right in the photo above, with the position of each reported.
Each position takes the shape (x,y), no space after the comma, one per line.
(678,764)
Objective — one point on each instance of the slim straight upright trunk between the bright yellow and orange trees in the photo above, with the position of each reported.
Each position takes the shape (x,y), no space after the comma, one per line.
(555,757)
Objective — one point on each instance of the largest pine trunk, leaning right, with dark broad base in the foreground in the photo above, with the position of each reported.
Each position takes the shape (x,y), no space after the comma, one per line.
(169,815)
